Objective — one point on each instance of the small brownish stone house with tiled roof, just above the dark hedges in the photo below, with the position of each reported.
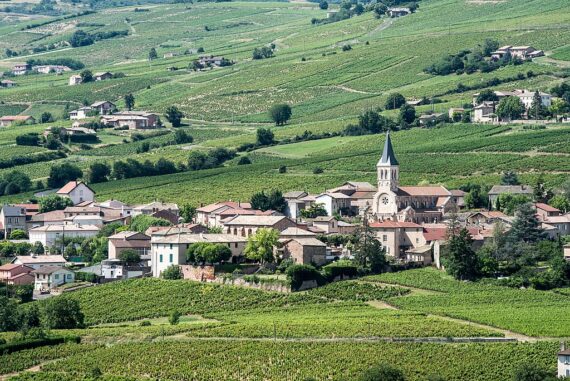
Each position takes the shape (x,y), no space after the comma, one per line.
(306,250)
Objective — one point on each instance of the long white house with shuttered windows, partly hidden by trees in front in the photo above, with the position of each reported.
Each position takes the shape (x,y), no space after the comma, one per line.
(171,249)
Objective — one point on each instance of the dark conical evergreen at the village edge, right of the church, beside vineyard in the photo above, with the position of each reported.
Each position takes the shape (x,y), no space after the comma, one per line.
(460,259)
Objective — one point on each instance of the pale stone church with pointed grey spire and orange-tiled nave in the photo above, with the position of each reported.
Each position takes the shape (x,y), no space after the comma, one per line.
(418,204)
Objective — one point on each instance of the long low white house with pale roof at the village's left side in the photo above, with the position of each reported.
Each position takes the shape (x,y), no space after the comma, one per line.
(54,235)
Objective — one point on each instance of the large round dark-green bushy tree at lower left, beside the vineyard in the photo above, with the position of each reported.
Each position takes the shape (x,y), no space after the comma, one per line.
(62,313)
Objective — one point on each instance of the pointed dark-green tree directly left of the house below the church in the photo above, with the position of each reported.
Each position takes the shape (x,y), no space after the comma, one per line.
(368,251)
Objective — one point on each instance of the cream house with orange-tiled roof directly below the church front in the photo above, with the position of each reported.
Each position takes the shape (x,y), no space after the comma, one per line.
(398,237)
